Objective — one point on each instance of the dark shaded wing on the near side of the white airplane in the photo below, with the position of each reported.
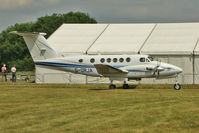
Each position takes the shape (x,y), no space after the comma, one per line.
(107,70)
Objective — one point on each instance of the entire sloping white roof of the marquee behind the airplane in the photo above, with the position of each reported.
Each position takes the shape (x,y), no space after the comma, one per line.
(160,39)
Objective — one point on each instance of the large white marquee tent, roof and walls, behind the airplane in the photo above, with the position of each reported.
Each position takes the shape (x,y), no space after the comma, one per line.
(175,43)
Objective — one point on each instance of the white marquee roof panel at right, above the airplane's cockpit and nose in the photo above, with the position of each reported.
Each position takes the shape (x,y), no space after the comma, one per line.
(176,38)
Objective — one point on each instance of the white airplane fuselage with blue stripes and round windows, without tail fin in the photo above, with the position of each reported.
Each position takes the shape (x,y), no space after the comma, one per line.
(137,66)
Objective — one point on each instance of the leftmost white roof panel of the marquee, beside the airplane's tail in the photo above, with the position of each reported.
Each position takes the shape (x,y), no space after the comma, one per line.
(75,38)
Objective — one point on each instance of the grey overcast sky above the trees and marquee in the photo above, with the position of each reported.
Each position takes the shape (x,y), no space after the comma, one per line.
(104,11)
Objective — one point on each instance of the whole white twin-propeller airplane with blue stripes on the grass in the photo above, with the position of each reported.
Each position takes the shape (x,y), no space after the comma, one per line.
(115,67)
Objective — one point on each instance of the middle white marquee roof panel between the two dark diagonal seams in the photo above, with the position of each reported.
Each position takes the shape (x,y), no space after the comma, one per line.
(122,38)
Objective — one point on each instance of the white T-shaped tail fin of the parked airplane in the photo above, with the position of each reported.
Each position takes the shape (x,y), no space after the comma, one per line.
(37,45)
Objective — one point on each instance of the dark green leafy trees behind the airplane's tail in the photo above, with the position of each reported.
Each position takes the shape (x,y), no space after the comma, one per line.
(13,50)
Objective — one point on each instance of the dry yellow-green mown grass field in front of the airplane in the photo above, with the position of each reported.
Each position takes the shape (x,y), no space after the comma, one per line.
(32,108)
